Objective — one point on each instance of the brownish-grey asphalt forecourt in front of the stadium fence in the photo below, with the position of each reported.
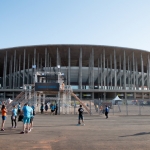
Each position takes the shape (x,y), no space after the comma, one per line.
(62,133)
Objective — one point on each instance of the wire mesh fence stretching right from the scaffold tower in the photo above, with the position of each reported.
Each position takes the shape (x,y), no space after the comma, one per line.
(127,107)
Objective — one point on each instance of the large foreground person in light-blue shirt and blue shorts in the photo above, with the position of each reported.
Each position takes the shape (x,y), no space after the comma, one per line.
(27,111)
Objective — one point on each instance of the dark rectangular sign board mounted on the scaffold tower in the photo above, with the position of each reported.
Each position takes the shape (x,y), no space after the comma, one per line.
(46,86)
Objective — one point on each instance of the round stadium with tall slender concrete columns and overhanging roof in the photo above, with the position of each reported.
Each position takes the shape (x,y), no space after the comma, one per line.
(93,71)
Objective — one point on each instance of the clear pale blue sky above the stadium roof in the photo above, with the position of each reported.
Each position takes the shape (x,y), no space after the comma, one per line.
(123,23)
